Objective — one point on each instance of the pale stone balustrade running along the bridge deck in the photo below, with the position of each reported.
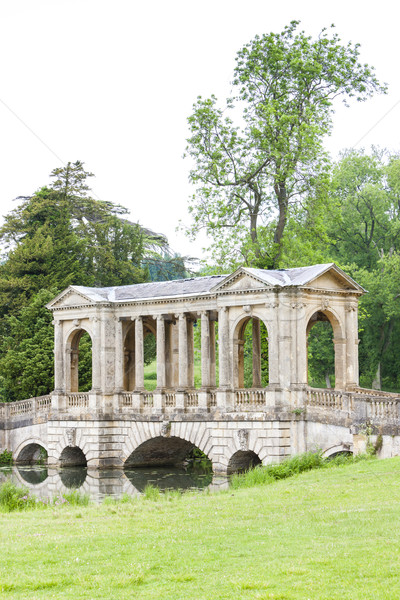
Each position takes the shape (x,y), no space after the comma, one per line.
(372,406)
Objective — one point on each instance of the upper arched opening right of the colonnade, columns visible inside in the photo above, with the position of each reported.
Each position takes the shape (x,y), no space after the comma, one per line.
(251,365)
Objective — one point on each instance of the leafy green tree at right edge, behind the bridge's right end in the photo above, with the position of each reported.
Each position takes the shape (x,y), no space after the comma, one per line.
(362,222)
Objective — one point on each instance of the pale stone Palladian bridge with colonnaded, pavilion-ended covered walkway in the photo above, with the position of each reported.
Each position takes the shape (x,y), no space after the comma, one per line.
(120,423)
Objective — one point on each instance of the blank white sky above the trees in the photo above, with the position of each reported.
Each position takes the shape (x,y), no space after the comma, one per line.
(112,83)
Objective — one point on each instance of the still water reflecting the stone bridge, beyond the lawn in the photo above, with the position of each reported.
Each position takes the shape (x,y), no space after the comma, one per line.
(48,483)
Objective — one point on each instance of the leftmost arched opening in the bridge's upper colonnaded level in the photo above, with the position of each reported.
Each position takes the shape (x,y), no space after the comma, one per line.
(81,361)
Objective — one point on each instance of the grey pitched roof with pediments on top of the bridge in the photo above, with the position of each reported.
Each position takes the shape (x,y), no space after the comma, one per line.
(197,286)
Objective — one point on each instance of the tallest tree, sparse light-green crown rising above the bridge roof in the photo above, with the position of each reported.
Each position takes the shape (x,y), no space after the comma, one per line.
(250,175)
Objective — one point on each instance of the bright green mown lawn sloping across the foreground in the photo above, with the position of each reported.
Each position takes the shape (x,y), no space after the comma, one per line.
(326,534)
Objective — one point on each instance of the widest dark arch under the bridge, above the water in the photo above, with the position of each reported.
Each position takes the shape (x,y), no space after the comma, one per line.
(168,462)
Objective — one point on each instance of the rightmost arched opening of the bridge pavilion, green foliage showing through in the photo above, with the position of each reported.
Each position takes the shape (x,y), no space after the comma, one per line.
(321,352)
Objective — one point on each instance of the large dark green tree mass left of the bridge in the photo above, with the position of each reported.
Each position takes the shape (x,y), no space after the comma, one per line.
(57,237)
